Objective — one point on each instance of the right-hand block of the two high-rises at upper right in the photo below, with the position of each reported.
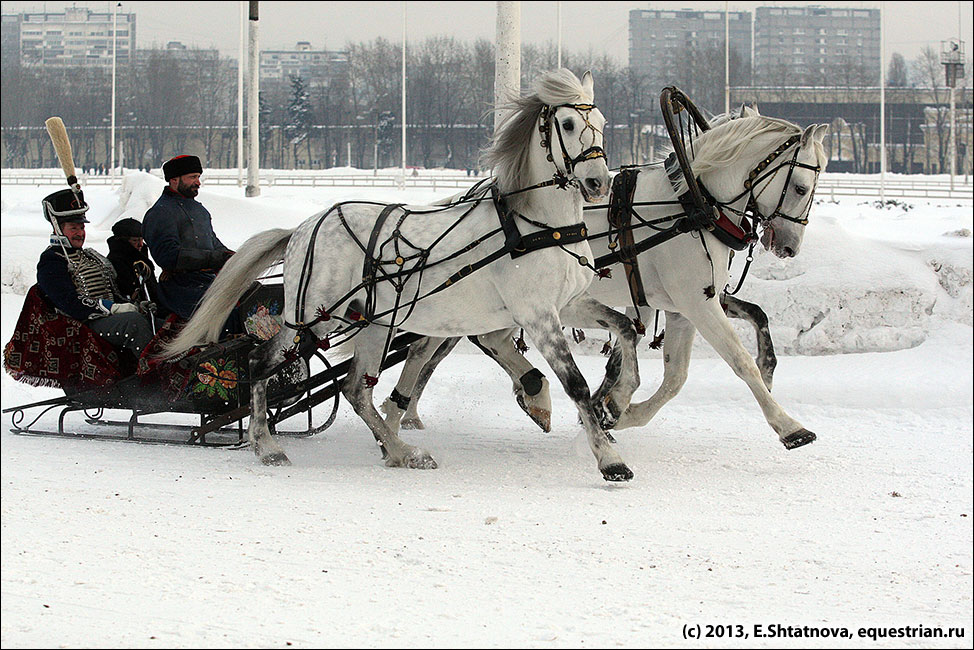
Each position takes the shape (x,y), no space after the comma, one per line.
(816,45)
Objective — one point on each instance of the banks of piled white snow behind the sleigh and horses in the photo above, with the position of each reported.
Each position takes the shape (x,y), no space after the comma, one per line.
(868,278)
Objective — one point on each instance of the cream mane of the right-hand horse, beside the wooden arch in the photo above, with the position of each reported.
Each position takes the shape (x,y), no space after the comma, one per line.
(725,143)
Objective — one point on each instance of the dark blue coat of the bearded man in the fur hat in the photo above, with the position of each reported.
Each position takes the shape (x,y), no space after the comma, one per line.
(179,234)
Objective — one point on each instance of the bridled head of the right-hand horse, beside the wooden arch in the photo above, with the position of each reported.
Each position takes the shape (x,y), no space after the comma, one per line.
(783,203)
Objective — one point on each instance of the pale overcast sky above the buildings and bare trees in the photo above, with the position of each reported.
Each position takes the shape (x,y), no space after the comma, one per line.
(603,26)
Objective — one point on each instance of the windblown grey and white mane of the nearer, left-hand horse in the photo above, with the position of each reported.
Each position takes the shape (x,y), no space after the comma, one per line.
(509,150)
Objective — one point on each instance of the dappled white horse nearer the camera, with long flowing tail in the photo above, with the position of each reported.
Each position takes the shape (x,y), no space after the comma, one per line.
(369,269)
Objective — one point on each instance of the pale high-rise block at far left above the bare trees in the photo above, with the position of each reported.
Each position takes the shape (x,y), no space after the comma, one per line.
(76,36)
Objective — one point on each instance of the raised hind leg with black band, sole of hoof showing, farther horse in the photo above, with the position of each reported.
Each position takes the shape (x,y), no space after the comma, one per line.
(531,389)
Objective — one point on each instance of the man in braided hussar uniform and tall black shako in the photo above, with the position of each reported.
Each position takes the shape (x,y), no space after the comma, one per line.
(80,282)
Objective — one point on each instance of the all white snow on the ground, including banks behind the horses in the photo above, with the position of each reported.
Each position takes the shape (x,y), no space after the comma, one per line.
(515,540)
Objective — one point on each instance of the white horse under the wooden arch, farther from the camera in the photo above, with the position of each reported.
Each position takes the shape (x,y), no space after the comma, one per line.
(766,166)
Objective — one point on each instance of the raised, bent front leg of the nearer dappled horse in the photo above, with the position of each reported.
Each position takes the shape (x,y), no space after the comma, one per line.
(588,312)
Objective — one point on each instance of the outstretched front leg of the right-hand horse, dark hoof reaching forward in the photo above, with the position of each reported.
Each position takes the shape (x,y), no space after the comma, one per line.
(709,318)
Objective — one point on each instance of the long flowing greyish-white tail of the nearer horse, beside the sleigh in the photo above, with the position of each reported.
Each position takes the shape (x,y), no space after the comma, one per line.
(237,275)
